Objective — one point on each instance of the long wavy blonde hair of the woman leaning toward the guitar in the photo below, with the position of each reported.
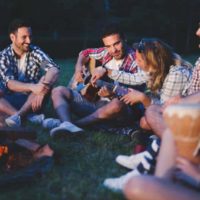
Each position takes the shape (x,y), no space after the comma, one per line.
(159,57)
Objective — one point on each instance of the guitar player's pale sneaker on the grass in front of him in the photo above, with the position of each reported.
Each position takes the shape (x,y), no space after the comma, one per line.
(66,127)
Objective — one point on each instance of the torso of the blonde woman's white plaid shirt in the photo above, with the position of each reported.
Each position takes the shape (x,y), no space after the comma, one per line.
(175,83)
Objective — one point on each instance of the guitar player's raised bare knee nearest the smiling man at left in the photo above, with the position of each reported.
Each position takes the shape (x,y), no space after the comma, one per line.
(60,92)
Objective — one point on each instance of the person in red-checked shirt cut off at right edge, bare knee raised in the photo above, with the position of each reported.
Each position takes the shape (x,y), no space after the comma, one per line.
(153,119)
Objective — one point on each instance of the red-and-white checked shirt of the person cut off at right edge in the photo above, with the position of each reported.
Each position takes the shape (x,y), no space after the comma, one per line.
(195,83)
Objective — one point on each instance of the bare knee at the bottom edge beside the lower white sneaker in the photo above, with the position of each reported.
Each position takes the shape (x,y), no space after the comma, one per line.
(134,188)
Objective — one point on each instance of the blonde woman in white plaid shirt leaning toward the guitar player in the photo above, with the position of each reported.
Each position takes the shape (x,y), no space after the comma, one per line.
(169,76)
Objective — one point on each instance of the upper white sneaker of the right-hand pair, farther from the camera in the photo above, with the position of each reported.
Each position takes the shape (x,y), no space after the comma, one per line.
(131,162)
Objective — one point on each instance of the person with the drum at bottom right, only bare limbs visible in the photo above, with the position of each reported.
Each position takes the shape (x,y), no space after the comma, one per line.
(175,177)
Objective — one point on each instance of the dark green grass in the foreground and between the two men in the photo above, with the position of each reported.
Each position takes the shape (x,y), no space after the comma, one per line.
(84,162)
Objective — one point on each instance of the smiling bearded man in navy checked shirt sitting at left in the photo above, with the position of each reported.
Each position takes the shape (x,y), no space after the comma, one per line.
(23,87)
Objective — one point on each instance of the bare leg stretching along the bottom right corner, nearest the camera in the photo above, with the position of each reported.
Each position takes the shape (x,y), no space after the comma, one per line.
(157,189)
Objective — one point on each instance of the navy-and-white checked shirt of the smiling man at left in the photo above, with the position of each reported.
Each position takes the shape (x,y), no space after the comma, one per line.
(36,60)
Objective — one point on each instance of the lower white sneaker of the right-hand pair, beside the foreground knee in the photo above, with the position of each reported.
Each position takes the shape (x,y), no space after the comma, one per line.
(117,184)
